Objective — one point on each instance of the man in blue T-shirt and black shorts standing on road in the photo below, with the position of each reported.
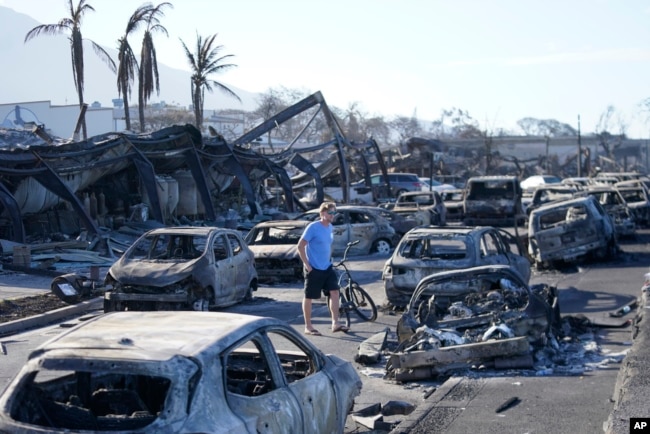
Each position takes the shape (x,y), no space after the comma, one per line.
(315,250)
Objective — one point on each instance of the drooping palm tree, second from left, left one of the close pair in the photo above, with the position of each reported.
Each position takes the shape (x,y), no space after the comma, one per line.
(127,62)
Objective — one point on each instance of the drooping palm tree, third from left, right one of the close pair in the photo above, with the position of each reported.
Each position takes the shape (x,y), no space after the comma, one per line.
(148,74)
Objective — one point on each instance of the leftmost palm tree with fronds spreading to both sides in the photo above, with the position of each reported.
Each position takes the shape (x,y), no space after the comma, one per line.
(72,25)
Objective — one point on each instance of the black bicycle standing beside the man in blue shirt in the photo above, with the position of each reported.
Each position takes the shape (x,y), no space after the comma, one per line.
(353,297)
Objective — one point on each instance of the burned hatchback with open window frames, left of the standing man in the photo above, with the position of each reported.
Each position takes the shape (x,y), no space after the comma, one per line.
(182,268)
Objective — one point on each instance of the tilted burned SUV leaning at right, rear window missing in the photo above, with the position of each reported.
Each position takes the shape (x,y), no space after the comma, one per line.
(569,231)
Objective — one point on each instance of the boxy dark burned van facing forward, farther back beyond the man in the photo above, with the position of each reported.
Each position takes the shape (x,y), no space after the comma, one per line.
(492,201)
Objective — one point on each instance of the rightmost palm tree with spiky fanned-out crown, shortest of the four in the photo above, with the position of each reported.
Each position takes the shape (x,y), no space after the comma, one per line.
(205,61)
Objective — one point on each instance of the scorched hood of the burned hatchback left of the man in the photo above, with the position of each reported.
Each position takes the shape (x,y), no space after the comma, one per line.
(151,273)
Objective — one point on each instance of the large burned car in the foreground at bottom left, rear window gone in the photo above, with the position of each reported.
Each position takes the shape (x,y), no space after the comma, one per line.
(180,372)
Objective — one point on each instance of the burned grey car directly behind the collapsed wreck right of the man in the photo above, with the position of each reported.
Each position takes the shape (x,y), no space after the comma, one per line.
(430,249)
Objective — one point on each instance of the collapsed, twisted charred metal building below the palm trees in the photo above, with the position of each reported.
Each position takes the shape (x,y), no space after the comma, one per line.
(53,190)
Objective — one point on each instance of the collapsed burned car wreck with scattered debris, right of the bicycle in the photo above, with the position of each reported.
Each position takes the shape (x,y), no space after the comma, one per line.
(485,320)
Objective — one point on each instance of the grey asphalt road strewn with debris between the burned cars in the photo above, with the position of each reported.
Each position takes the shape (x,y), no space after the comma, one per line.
(556,403)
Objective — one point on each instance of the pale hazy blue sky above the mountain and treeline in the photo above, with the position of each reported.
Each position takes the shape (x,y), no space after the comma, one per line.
(500,60)
